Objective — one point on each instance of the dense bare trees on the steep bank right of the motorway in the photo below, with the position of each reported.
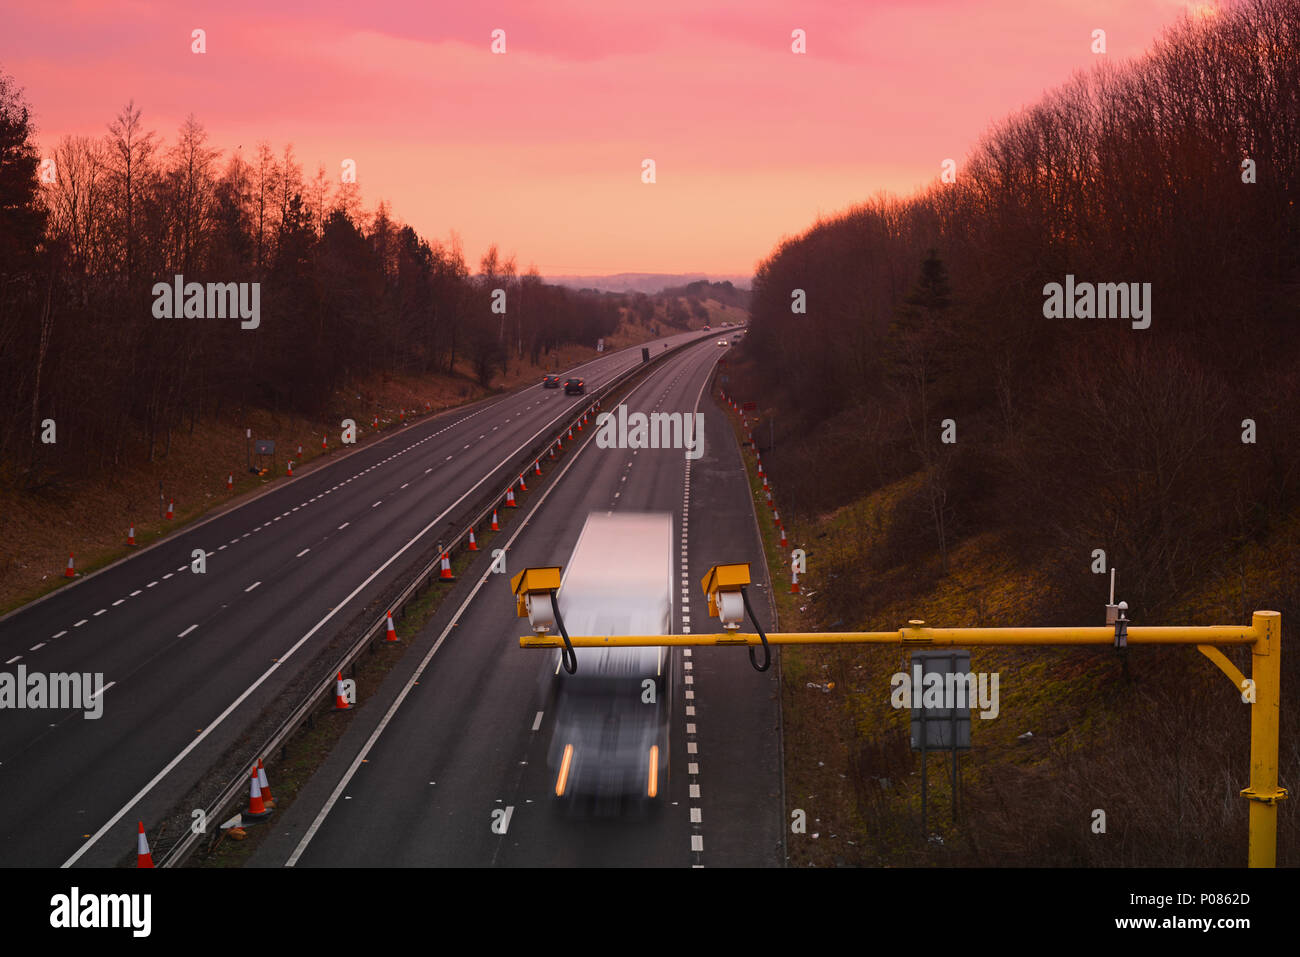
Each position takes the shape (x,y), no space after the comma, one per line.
(1165,447)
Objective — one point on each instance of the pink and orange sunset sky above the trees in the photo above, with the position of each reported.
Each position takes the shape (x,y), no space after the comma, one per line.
(540,149)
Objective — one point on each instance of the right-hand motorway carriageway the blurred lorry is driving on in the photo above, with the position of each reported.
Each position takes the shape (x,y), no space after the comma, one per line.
(457,739)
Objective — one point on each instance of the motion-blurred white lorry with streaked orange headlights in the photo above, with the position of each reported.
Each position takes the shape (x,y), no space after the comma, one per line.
(612,730)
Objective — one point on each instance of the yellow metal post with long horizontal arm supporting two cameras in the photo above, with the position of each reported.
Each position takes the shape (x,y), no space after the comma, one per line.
(1264,636)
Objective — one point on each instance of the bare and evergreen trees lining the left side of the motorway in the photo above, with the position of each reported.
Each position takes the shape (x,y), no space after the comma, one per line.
(89,227)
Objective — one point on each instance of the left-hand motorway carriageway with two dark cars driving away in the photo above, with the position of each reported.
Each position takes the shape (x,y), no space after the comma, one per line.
(190,661)
